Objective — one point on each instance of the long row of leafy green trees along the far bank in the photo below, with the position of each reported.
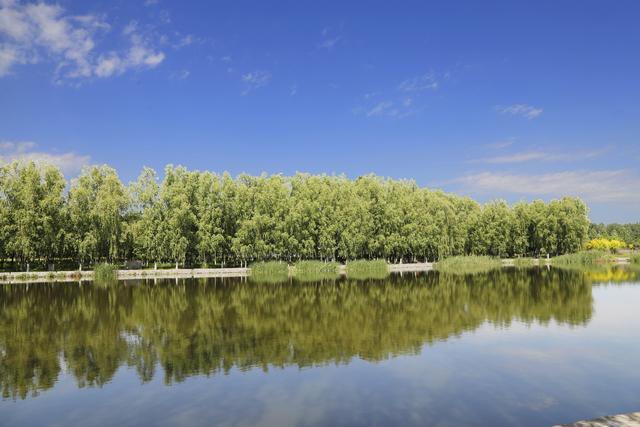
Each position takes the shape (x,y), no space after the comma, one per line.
(196,218)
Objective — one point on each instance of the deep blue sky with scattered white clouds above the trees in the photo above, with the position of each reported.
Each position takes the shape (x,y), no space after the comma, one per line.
(514,100)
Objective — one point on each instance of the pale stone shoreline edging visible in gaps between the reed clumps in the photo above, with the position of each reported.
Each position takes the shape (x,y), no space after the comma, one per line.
(194,273)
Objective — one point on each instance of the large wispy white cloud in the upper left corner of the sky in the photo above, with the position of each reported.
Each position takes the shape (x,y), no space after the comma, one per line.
(37,32)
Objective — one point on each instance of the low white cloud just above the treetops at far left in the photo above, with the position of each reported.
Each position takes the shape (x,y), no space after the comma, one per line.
(69,163)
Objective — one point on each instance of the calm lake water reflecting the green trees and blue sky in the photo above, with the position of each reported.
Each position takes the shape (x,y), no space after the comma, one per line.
(512,348)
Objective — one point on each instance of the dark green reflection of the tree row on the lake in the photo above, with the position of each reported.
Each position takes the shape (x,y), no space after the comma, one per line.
(207,326)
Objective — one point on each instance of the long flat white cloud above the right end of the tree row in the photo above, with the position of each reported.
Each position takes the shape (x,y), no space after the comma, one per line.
(594,186)
